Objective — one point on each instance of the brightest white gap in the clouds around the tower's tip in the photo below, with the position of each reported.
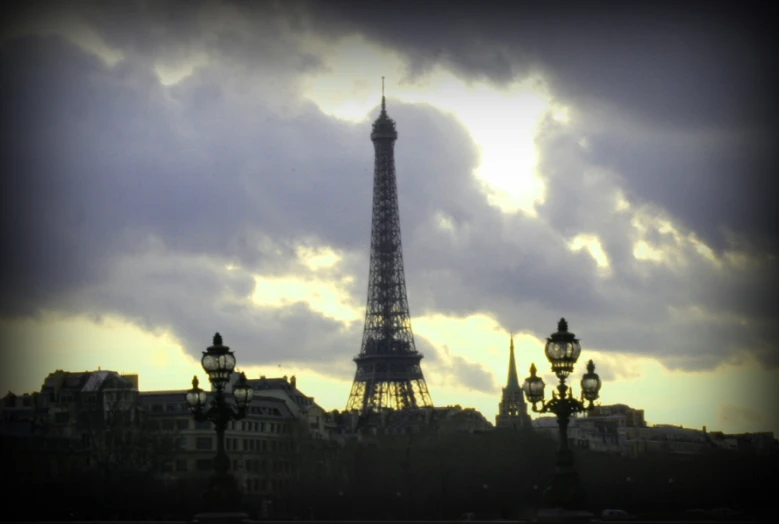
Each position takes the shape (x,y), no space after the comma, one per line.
(502,122)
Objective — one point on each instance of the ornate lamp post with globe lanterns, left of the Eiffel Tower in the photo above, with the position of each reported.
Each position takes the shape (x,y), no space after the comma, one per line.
(218,362)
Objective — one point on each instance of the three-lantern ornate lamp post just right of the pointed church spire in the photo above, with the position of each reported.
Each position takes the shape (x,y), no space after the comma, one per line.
(562,350)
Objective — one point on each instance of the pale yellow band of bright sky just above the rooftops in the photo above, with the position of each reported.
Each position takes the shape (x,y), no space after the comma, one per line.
(672,397)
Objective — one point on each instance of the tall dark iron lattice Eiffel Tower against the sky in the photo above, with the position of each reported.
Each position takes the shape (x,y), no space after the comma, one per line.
(388,366)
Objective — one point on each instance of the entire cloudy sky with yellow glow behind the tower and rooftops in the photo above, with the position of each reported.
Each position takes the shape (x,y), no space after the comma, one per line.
(175,169)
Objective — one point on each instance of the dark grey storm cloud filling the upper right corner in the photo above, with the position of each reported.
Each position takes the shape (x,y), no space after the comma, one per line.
(672,67)
